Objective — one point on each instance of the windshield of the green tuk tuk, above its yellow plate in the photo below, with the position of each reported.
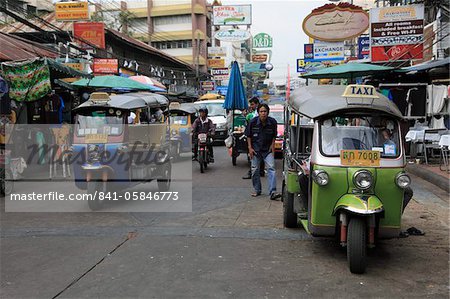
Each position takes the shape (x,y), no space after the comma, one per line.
(377,133)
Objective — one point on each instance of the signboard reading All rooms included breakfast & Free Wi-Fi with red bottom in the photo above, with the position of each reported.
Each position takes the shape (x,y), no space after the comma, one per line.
(396,33)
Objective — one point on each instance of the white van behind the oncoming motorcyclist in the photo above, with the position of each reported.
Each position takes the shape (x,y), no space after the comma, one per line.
(218,116)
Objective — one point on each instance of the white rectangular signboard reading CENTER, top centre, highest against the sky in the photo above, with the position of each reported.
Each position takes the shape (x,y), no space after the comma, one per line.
(225,15)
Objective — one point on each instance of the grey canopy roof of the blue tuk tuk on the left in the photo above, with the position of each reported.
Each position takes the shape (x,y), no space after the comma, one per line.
(129,101)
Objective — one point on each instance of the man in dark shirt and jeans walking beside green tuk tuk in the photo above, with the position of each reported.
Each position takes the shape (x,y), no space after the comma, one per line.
(261,133)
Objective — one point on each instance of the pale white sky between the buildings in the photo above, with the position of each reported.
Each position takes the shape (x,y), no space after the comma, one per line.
(282,20)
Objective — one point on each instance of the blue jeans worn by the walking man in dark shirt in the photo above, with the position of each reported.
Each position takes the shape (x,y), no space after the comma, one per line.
(271,176)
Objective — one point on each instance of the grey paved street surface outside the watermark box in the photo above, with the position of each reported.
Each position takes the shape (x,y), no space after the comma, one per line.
(230,245)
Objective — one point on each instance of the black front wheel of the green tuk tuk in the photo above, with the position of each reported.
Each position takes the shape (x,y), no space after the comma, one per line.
(357,245)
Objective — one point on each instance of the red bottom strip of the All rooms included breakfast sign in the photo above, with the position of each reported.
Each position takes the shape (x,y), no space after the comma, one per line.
(397,52)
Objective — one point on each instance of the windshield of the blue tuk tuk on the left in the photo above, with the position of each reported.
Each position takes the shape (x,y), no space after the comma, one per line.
(99,123)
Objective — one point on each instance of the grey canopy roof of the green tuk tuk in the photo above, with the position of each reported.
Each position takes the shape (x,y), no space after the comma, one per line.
(316,101)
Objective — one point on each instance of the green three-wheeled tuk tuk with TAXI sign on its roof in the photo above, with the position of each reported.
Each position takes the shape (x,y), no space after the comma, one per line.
(354,187)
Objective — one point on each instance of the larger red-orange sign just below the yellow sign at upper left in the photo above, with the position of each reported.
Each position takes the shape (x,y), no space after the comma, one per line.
(93,33)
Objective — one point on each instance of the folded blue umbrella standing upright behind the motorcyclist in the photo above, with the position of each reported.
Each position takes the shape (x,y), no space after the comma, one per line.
(235,98)
